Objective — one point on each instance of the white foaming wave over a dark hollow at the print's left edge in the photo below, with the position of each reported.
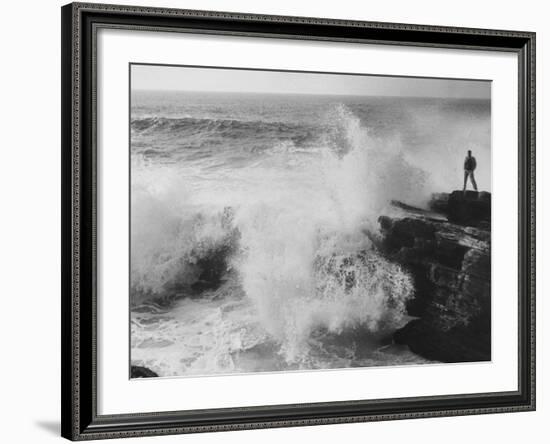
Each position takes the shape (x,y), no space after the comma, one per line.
(173,244)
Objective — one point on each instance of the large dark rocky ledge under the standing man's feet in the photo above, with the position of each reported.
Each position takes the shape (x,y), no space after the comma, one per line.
(448,254)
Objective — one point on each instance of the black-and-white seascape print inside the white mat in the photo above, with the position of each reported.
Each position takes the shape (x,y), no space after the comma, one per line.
(299,221)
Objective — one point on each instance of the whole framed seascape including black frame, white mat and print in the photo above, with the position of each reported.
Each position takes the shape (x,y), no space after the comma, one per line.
(280,221)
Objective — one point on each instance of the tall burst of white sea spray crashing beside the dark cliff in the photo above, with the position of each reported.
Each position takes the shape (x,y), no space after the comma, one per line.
(289,242)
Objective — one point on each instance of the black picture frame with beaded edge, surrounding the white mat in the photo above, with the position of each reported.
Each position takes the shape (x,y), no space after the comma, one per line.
(80,22)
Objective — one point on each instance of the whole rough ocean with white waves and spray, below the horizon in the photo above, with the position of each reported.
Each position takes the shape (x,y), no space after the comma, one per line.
(252,217)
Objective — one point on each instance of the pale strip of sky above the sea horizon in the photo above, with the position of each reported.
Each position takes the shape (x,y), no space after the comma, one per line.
(181,78)
